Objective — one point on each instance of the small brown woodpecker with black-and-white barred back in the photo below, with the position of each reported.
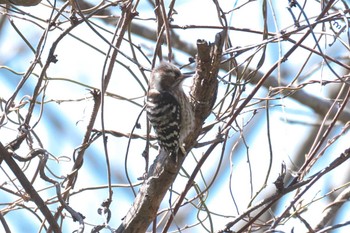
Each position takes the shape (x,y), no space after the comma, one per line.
(168,108)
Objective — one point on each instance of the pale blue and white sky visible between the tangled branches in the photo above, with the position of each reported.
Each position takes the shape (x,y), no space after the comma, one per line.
(63,123)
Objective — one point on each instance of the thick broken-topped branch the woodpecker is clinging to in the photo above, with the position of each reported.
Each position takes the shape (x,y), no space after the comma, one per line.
(164,170)
